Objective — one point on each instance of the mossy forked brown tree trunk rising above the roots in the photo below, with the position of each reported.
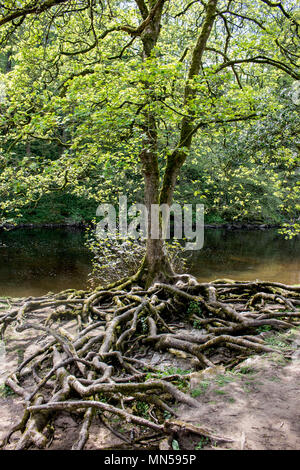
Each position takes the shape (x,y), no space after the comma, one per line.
(156,264)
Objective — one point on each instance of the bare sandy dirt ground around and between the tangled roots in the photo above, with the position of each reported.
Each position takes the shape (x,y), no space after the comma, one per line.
(256,404)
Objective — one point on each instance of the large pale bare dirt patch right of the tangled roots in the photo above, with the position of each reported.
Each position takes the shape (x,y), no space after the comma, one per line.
(257,404)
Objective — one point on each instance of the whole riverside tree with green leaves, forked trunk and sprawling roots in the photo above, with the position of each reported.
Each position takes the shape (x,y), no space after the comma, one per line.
(116,82)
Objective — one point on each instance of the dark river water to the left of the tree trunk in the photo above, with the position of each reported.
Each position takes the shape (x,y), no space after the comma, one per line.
(36,261)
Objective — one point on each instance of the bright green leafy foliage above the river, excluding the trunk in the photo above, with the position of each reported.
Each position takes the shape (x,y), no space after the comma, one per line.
(72,124)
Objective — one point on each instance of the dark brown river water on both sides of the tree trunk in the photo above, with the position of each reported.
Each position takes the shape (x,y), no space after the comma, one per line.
(36,261)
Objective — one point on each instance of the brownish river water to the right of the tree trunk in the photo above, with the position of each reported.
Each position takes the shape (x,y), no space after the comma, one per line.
(251,255)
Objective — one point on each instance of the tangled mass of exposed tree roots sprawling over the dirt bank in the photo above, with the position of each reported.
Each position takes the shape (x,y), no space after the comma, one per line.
(95,361)
